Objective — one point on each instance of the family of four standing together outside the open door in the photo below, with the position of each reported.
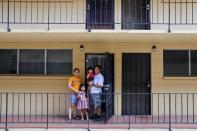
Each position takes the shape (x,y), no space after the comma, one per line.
(79,100)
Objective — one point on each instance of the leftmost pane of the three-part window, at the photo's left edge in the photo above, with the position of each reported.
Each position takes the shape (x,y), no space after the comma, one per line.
(8,61)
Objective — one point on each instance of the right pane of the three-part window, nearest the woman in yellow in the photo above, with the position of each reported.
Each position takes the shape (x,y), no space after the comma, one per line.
(59,62)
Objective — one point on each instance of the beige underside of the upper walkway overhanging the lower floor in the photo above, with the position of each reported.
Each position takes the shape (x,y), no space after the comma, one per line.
(98,37)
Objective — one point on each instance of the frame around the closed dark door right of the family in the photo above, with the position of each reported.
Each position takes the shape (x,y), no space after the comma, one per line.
(150,79)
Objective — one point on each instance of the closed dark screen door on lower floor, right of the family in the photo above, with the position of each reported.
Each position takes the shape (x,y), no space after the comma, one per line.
(136,82)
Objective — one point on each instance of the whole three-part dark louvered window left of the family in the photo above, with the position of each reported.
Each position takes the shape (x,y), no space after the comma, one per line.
(35,62)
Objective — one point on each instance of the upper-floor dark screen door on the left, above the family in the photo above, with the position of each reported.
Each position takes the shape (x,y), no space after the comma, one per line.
(101,14)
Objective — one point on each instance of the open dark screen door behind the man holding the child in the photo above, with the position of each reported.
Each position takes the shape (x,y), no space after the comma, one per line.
(106,61)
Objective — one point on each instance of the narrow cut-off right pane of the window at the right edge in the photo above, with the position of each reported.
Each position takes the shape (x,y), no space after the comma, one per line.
(194,63)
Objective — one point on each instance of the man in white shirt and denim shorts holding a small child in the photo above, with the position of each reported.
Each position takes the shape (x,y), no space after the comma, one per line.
(96,90)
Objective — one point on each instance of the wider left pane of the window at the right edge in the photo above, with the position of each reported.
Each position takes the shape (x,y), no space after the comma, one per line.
(176,63)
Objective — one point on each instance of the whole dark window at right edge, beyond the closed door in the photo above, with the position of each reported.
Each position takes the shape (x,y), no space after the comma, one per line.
(180,63)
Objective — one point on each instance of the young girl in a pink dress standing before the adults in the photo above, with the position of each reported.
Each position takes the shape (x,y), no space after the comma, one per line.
(82,104)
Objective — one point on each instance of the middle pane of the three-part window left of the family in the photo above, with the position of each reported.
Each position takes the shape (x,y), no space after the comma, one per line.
(31,62)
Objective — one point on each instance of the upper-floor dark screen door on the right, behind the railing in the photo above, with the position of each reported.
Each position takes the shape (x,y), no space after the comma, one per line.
(135,14)
